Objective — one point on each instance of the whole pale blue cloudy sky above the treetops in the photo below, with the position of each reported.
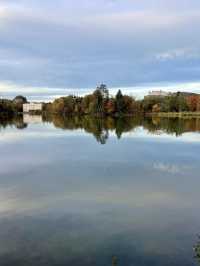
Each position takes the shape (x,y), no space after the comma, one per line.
(51,48)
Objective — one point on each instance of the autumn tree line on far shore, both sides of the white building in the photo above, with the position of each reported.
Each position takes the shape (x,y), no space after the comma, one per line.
(101,103)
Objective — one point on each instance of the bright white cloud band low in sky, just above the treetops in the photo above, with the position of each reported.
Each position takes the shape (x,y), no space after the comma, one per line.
(39,93)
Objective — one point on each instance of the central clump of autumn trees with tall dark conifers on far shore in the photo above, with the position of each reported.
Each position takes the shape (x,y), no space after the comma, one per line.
(98,103)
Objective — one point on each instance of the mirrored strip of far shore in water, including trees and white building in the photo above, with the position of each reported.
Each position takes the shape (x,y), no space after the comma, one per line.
(100,128)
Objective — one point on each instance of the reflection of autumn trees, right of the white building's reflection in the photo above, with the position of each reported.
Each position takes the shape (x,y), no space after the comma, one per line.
(100,126)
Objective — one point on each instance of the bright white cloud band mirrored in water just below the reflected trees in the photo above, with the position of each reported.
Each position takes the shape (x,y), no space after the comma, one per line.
(49,131)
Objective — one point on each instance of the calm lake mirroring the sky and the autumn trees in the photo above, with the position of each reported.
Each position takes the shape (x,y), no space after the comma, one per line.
(90,191)
